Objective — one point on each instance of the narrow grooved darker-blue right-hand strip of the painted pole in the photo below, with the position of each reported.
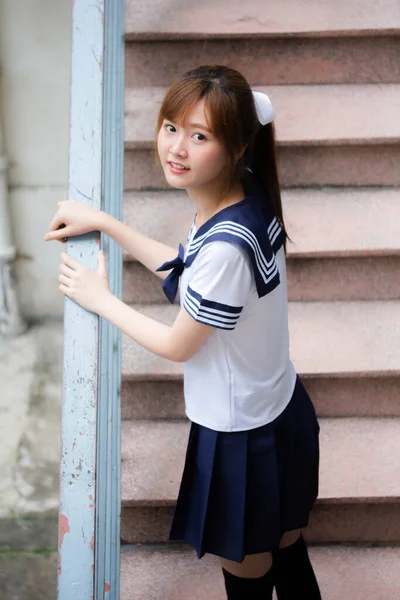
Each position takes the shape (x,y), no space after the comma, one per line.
(109,415)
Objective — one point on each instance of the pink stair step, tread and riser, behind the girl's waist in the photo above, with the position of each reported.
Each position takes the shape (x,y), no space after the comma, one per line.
(350,361)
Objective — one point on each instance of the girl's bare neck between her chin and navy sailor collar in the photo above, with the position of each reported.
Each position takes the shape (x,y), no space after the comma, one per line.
(208,202)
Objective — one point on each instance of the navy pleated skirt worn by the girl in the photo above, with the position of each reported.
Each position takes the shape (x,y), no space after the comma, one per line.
(240,491)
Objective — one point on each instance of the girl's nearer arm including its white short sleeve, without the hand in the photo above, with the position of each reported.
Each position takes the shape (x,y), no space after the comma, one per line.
(222,283)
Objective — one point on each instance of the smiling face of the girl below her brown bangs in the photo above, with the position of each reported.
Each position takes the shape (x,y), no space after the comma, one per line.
(191,156)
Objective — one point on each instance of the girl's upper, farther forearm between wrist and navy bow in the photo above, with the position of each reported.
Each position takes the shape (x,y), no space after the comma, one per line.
(151,253)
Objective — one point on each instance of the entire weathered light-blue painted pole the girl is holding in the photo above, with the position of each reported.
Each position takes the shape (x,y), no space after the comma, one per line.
(88,564)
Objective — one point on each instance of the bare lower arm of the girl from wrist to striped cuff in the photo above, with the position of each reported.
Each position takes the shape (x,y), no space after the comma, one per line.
(177,343)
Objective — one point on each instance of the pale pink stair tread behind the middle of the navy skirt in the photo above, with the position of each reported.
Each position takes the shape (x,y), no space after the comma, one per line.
(356,461)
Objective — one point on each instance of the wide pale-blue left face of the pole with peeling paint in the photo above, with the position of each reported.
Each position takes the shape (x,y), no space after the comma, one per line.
(81,328)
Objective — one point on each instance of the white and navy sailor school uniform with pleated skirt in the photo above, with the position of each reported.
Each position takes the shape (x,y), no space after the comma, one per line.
(251,467)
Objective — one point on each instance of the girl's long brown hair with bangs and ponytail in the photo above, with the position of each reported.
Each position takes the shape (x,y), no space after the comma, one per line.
(230,107)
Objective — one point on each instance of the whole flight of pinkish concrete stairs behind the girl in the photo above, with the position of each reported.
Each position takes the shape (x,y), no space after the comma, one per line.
(332,70)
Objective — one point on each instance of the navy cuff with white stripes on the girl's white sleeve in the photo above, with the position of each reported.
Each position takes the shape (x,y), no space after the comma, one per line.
(211,313)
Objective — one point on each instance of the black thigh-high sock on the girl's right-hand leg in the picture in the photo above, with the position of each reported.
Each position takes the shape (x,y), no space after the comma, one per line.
(294,577)
